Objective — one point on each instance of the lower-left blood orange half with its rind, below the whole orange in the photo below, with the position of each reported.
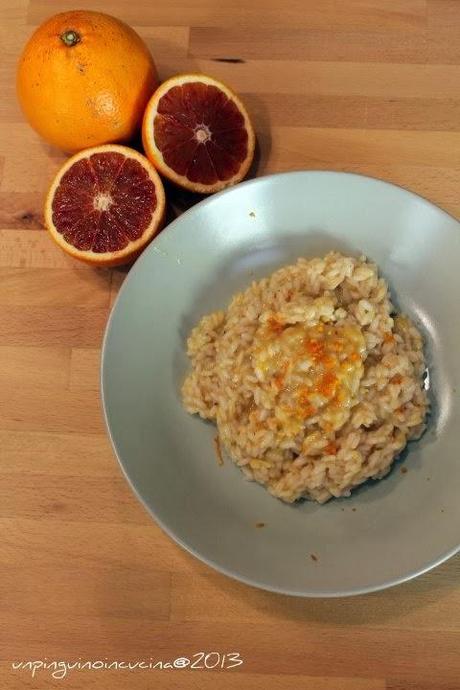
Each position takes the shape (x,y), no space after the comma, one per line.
(105,205)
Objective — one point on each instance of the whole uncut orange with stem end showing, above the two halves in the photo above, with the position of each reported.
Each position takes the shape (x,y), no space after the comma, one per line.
(84,79)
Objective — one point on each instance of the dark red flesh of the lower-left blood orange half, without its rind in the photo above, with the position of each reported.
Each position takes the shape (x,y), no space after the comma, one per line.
(104,202)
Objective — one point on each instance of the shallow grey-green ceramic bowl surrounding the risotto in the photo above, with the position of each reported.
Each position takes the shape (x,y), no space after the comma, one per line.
(388,531)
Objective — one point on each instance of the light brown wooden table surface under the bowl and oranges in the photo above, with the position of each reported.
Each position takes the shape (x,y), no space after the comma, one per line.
(363,85)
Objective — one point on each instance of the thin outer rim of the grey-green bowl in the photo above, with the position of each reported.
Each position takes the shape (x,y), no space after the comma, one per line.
(313,594)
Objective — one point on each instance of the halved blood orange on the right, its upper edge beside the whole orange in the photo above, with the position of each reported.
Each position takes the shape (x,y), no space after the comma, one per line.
(197,133)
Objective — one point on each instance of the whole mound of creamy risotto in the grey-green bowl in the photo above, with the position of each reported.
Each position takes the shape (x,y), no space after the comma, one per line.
(314,382)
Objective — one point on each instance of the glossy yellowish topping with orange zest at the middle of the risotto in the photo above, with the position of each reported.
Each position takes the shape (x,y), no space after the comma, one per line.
(315,371)
